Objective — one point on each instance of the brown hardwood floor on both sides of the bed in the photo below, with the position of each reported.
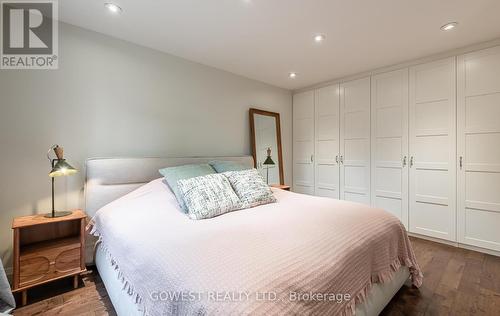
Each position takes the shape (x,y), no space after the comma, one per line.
(456,282)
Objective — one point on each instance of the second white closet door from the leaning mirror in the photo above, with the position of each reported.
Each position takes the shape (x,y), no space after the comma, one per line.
(327,142)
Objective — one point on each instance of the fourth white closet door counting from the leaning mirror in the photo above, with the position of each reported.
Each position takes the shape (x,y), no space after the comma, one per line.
(389,143)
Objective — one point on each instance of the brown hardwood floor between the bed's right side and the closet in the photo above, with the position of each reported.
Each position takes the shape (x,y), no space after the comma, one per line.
(456,282)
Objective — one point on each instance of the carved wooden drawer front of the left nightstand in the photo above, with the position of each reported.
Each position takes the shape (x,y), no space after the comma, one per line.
(49,260)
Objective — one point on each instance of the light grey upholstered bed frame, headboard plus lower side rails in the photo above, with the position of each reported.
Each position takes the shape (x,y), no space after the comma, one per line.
(110,178)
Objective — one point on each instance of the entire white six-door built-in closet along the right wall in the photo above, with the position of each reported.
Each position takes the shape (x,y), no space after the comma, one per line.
(422,142)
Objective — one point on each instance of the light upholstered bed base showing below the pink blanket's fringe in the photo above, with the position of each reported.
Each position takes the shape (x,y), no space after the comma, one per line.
(377,299)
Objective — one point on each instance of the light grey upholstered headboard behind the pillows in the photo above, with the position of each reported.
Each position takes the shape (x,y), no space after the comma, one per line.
(110,178)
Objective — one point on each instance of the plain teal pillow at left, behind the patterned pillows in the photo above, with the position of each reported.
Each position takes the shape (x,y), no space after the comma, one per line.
(174,174)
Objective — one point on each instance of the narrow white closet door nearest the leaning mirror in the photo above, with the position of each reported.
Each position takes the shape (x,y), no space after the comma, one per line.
(303,142)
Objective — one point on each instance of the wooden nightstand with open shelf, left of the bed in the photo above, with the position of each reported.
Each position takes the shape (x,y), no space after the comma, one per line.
(47,249)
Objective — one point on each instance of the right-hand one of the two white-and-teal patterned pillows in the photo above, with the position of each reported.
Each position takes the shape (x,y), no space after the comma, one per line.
(250,187)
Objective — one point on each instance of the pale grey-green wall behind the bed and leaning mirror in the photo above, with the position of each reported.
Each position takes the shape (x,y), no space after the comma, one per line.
(113,98)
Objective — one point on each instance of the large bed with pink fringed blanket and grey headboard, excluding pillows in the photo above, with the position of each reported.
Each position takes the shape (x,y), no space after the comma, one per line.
(147,250)
